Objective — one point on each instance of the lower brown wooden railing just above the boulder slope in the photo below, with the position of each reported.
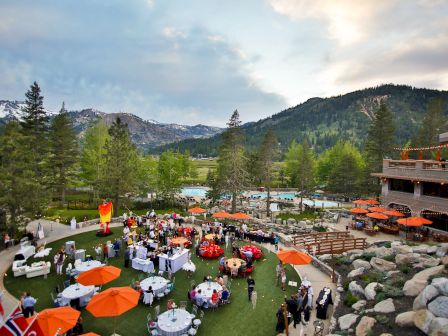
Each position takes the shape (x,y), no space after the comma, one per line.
(335,246)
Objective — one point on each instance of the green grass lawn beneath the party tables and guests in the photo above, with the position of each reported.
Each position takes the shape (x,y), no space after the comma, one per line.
(237,318)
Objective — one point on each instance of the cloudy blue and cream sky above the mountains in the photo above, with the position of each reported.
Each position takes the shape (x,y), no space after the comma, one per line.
(196,61)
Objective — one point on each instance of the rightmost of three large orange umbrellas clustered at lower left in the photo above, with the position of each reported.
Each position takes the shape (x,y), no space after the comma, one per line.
(113,302)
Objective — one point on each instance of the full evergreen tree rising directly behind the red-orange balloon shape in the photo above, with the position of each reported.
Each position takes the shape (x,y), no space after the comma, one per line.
(119,175)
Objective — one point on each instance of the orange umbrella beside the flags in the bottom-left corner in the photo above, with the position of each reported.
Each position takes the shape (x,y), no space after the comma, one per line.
(57,320)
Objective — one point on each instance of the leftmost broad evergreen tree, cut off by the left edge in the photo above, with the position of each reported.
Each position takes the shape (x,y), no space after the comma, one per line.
(16,174)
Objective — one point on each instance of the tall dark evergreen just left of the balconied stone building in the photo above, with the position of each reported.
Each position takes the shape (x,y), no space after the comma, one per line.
(379,145)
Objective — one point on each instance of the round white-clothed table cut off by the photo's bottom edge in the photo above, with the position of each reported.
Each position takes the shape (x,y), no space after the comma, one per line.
(174,322)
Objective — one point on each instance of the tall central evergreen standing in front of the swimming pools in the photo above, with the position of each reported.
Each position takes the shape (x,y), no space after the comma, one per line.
(232,165)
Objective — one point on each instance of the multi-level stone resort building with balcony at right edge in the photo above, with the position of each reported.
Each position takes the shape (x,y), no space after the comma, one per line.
(417,187)
